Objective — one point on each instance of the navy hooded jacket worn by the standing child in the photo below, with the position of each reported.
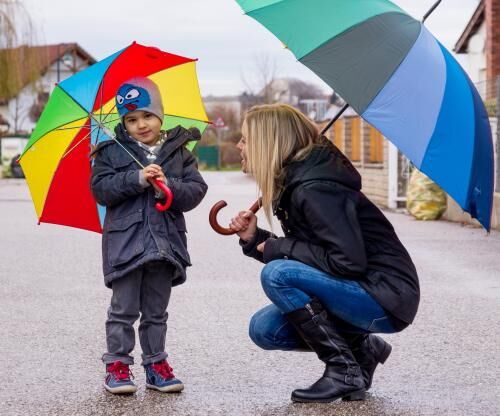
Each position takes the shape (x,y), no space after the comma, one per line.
(134,232)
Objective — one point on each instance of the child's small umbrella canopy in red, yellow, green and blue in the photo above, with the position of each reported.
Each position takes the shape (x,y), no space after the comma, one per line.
(81,112)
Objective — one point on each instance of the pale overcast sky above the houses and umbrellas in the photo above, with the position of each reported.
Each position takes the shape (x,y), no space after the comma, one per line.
(215,31)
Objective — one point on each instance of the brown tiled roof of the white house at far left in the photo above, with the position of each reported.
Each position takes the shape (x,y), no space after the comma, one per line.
(40,60)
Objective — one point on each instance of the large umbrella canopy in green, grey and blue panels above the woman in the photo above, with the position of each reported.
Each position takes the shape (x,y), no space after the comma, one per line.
(400,79)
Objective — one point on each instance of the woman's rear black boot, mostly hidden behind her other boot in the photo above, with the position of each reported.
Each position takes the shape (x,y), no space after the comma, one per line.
(369,350)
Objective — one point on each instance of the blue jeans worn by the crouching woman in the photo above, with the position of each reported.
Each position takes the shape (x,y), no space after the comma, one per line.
(290,285)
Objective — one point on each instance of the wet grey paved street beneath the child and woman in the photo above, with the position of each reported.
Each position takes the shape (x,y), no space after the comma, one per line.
(53,306)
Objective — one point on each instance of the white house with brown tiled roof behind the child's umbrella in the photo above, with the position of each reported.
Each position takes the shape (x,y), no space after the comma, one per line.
(38,69)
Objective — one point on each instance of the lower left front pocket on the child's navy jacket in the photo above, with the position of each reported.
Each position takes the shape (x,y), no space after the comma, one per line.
(125,239)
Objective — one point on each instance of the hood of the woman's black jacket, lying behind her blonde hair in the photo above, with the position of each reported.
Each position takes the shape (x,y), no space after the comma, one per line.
(325,163)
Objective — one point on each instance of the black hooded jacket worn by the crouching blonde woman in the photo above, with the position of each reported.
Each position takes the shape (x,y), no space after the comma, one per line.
(329,224)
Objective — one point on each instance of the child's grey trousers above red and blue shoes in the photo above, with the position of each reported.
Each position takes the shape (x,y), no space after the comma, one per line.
(144,292)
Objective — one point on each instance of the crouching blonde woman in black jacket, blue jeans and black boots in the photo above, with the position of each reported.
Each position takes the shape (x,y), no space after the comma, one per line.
(340,273)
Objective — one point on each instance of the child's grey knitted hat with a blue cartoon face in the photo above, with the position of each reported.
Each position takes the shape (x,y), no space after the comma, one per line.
(139,93)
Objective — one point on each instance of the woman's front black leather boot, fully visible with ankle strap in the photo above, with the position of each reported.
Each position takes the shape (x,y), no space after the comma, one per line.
(342,378)
